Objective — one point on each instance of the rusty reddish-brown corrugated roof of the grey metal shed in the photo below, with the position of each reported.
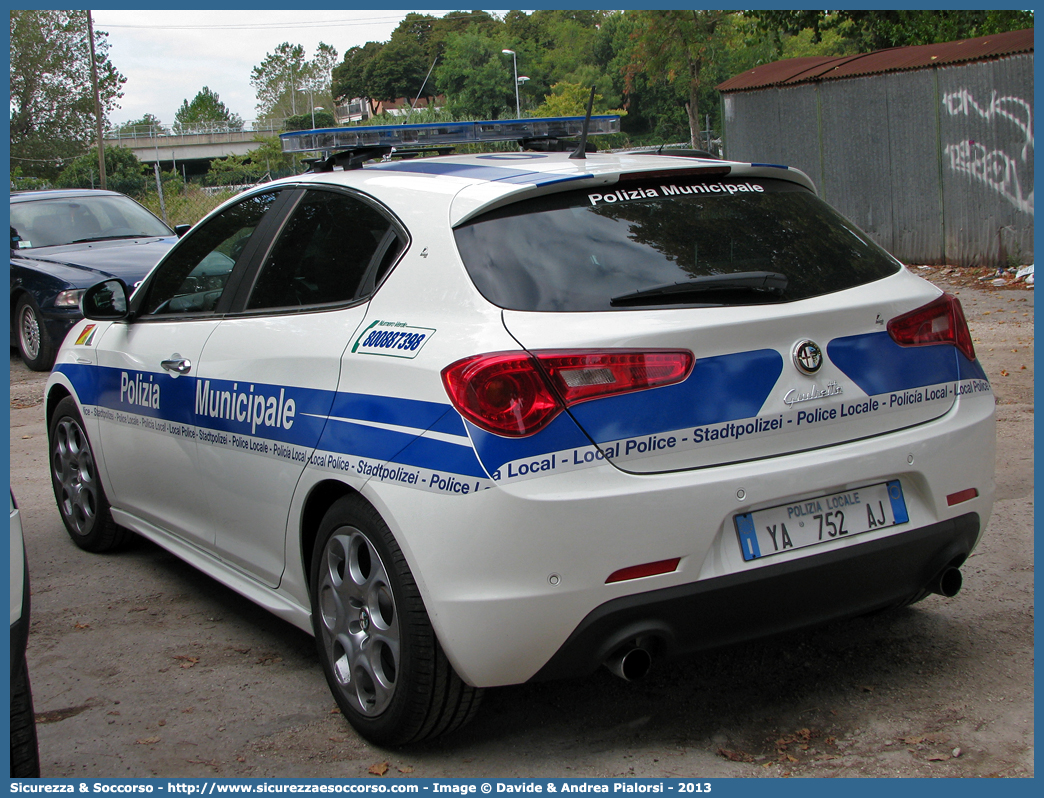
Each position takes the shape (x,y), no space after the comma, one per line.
(794,72)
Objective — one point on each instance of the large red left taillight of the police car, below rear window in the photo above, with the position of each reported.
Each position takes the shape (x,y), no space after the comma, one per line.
(517,394)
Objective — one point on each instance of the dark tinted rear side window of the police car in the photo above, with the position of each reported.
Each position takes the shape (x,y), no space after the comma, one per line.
(330,251)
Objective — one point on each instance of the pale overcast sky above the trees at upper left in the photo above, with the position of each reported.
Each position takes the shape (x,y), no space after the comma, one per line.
(170,56)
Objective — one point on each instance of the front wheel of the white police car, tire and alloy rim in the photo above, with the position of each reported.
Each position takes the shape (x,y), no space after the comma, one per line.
(78,486)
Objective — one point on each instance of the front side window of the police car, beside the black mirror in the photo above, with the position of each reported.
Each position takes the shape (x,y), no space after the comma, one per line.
(193,279)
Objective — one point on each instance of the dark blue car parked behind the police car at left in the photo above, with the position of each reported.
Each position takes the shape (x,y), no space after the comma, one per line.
(63,242)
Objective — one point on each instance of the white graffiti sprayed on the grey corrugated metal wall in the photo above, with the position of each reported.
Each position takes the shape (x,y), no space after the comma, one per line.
(1001,171)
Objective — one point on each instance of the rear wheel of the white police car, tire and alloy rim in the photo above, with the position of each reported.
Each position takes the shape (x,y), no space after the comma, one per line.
(381,655)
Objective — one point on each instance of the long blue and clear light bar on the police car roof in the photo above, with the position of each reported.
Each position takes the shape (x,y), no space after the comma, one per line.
(440,134)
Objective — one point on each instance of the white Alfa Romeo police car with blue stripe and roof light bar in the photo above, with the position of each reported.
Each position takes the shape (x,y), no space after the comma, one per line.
(479,420)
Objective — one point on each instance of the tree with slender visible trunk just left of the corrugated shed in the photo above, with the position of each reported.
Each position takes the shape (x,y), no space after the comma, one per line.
(672,45)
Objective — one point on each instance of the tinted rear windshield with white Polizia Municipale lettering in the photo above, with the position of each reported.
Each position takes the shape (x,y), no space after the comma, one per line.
(668,243)
